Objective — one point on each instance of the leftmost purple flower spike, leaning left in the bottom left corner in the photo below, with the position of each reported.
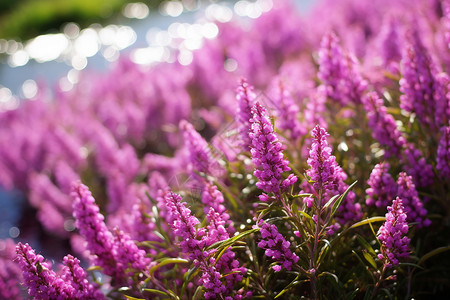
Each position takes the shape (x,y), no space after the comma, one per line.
(38,276)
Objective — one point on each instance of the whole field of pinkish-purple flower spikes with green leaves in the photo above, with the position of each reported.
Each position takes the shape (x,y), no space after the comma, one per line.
(298,156)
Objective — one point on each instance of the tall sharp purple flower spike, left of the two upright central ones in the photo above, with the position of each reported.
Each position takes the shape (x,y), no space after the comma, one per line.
(267,154)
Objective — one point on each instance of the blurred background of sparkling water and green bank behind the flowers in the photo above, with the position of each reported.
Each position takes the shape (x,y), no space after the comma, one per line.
(49,42)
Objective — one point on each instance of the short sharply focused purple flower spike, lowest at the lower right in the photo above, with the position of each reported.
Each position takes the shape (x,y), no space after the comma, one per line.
(392,235)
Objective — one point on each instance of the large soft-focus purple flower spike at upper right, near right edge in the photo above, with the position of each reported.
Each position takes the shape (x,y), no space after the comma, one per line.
(419,81)
